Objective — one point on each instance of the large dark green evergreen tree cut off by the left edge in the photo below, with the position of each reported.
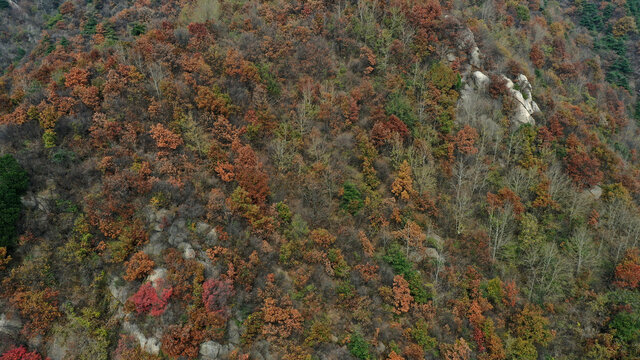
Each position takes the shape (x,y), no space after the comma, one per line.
(13,184)
